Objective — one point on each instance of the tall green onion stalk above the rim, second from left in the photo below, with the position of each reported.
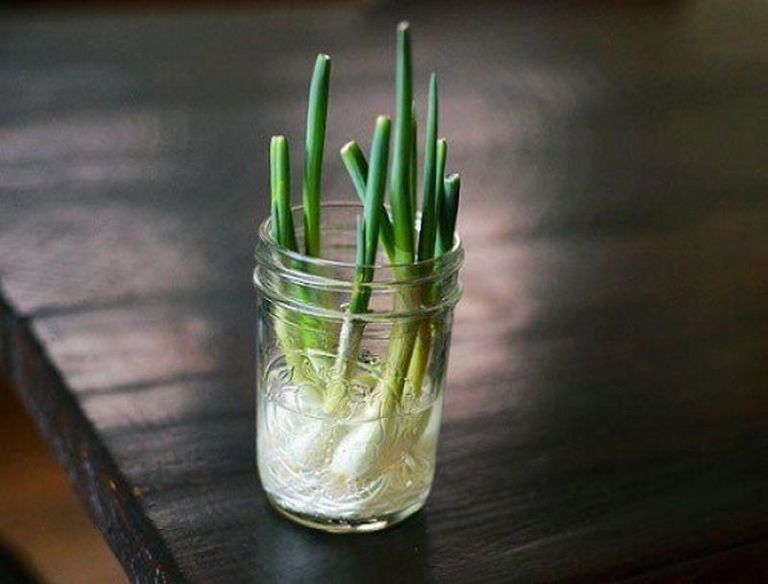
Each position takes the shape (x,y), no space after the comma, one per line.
(317,113)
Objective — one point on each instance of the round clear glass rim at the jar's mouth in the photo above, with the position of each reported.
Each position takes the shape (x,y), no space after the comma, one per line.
(265,238)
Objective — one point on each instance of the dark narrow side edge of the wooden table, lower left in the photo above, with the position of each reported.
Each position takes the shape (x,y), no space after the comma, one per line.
(99,484)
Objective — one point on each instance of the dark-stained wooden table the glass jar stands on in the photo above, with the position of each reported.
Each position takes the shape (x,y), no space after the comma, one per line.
(607,407)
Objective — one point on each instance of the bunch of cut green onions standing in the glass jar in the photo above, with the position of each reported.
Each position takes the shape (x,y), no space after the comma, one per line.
(404,240)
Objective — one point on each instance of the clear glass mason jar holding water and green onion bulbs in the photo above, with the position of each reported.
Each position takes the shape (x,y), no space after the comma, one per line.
(349,405)
